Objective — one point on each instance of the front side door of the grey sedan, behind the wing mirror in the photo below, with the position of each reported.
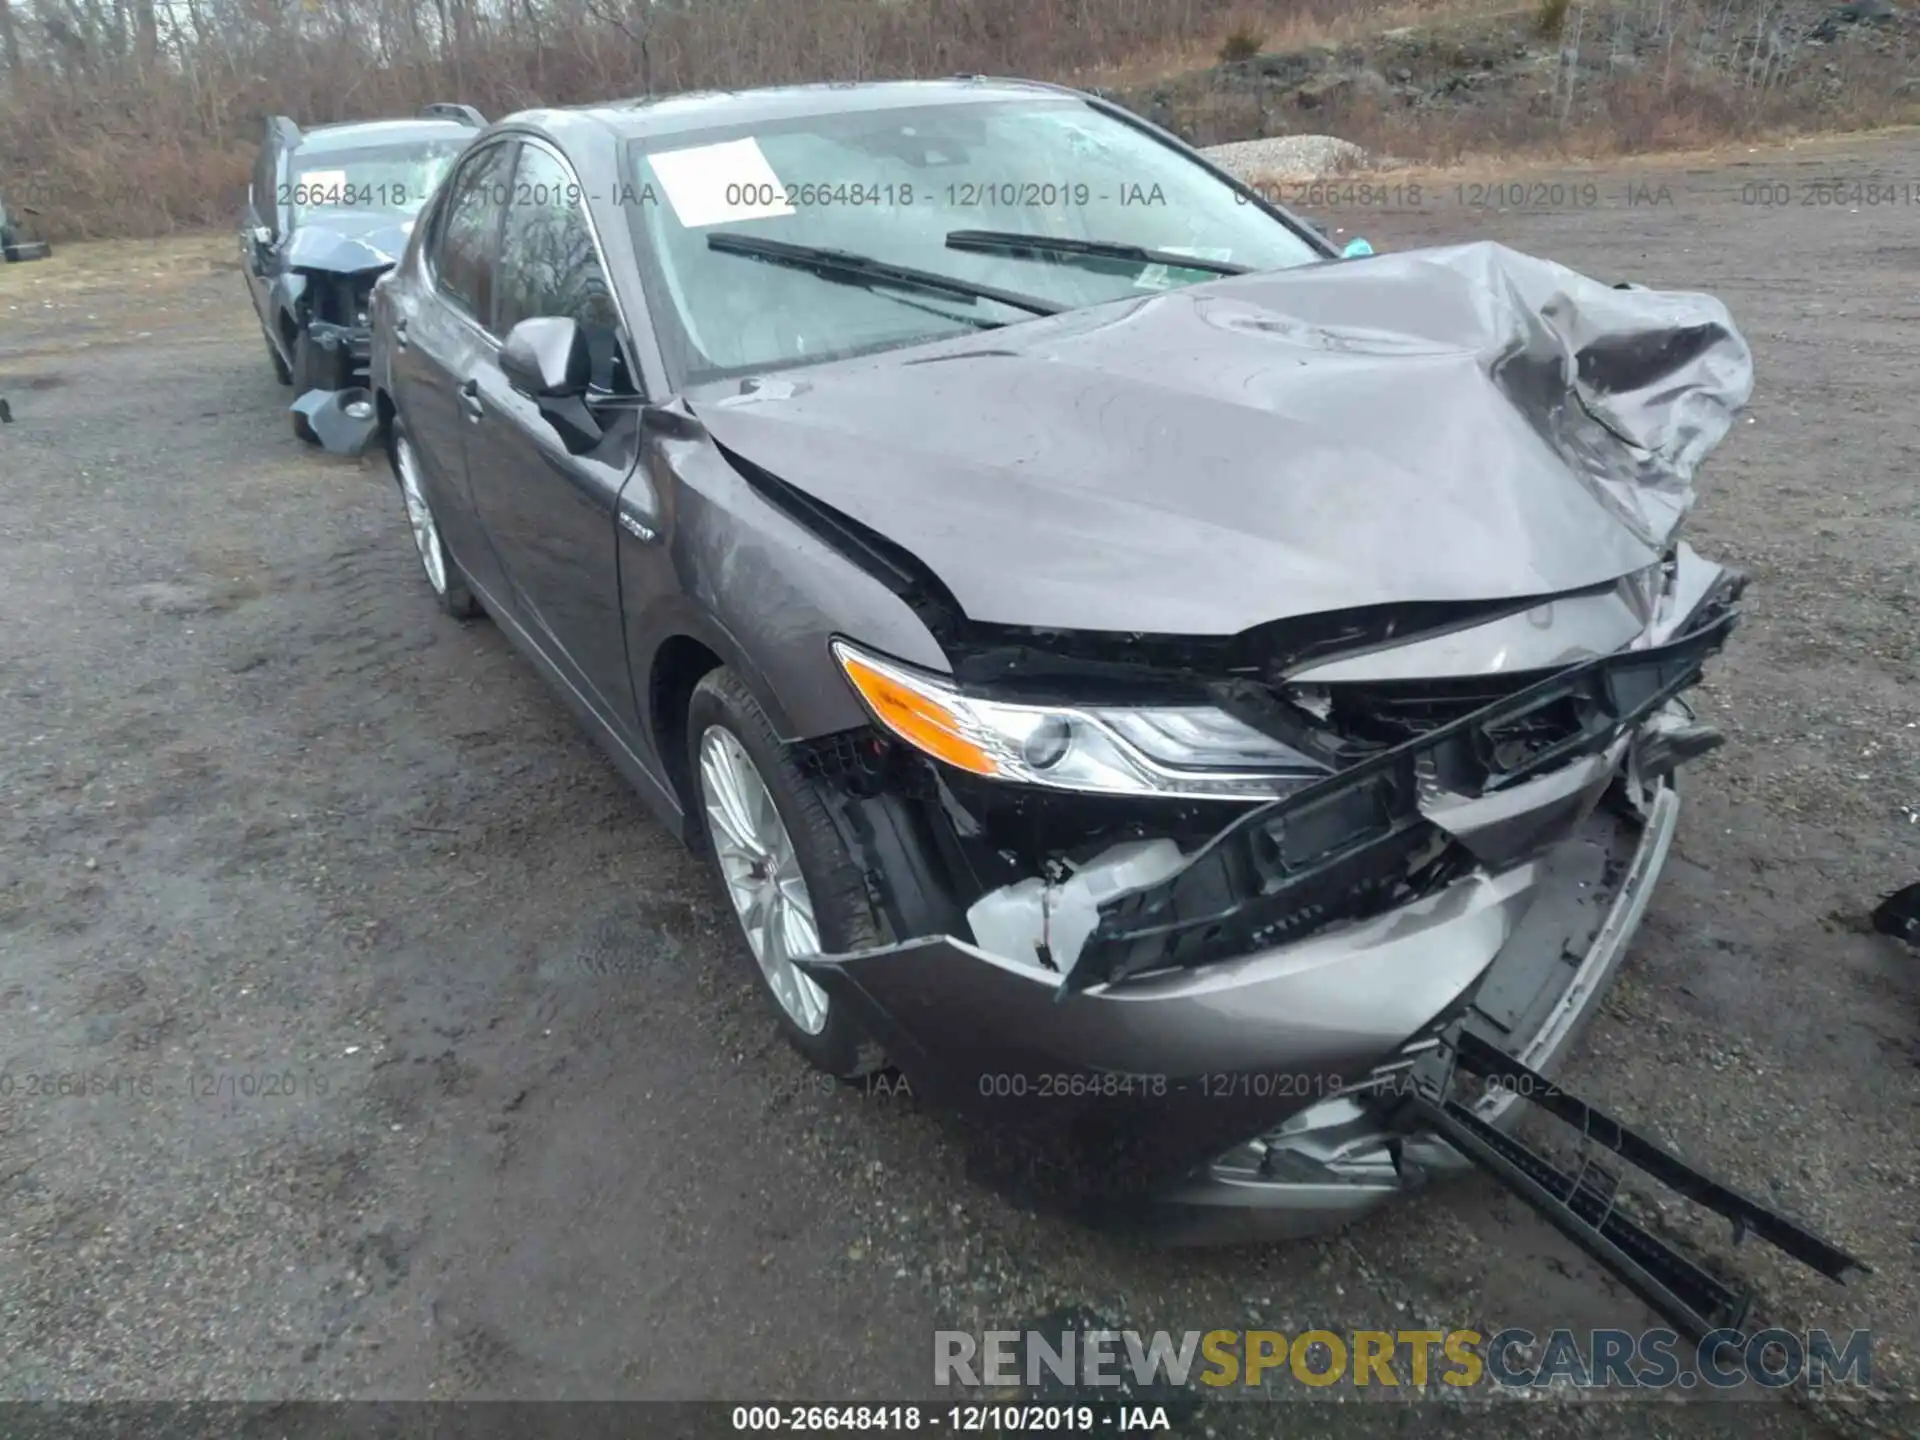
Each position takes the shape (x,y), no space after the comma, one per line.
(550,506)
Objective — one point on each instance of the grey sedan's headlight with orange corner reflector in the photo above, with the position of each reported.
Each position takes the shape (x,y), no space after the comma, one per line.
(1174,752)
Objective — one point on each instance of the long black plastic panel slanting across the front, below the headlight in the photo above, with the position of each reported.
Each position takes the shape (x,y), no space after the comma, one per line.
(1358,842)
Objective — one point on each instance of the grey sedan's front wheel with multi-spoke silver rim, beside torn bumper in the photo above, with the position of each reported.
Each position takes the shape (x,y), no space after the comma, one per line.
(788,876)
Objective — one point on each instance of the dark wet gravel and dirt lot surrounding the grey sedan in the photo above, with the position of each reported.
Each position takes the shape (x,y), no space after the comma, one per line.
(270,823)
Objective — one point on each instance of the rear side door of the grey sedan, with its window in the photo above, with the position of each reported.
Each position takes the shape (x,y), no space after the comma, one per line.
(441,331)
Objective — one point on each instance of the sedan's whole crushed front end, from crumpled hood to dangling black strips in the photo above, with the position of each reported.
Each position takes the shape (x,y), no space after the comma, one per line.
(1230,915)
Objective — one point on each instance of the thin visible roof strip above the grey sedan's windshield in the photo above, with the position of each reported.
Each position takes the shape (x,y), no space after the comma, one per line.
(702,110)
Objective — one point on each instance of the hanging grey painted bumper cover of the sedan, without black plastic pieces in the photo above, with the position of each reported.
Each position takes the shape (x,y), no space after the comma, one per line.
(1245,1084)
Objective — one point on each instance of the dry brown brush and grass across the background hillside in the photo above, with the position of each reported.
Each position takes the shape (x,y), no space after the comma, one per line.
(99,143)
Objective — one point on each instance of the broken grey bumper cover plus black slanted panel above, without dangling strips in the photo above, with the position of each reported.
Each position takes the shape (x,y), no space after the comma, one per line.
(1197,1020)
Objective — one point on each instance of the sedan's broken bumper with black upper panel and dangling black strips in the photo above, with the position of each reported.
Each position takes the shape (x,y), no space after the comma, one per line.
(1284,1022)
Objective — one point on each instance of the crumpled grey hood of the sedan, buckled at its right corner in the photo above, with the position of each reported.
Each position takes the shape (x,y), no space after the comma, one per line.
(1441,425)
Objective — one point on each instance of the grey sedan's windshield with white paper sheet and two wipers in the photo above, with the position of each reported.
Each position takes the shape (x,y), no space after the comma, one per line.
(894,185)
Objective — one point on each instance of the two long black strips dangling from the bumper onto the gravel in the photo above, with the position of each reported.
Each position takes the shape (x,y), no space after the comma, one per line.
(1585,1205)
